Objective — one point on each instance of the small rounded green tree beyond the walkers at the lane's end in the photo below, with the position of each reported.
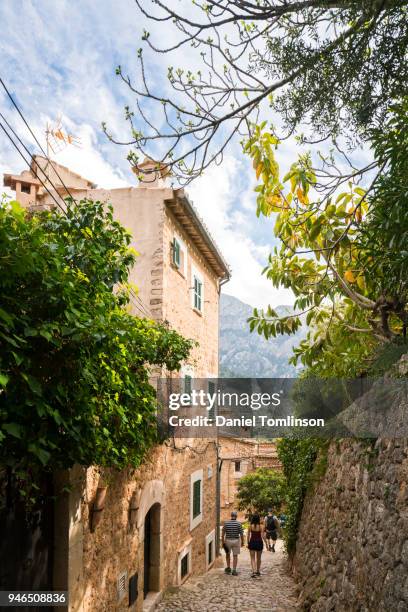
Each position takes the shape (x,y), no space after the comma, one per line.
(262,489)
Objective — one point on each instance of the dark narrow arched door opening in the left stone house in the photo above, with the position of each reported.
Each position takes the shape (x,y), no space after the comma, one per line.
(152,535)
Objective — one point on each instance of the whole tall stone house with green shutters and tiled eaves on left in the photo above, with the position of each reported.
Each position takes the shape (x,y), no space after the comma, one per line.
(121,539)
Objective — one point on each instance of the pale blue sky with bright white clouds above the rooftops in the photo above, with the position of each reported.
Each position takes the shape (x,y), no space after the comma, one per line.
(58,59)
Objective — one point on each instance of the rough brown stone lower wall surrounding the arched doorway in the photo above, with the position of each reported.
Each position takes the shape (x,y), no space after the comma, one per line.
(98,557)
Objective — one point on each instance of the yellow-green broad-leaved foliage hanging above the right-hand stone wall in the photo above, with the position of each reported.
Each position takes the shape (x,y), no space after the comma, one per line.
(337,252)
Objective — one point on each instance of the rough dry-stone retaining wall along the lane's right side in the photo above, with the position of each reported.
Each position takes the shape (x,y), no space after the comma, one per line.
(352,549)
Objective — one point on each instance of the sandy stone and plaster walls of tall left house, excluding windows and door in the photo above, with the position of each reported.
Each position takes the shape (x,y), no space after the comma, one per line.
(96,560)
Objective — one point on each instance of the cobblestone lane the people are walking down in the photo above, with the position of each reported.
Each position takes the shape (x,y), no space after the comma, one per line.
(274,591)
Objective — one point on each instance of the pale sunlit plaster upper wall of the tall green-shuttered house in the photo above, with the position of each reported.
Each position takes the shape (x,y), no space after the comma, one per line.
(165,293)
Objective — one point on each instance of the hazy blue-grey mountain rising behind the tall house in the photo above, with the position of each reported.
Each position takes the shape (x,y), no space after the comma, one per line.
(245,354)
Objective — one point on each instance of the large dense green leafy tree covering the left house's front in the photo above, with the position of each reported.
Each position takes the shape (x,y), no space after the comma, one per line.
(74,363)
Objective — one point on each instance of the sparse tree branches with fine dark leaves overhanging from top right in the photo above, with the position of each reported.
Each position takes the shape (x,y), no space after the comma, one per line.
(330,64)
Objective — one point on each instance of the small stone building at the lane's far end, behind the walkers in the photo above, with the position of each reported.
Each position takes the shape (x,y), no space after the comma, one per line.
(238,457)
